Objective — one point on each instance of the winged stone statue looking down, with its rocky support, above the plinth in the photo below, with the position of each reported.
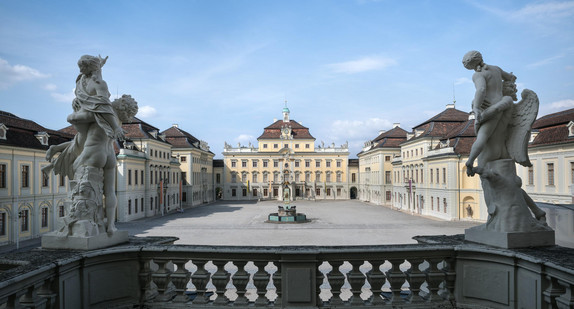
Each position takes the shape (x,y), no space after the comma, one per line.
(502,134)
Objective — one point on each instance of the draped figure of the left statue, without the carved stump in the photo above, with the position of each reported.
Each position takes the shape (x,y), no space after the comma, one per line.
(95,118)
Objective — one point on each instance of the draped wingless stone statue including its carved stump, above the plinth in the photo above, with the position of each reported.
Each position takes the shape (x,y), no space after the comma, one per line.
(90,159)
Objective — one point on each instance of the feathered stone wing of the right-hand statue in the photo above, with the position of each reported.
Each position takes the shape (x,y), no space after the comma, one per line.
(523,116)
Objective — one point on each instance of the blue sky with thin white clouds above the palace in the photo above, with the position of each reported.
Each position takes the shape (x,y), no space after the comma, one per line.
(223,69)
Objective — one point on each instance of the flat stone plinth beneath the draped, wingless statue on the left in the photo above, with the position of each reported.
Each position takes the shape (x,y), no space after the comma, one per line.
(54,241)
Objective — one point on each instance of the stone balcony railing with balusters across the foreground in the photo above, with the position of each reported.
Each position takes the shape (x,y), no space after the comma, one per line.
(151,273)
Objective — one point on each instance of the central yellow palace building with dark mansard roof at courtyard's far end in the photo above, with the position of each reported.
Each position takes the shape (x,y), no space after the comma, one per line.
(286,157)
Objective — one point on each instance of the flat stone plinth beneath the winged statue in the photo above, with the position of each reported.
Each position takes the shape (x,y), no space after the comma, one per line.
(509,240)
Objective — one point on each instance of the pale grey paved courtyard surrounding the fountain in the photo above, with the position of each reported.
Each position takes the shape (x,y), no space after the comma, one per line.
(332,223)
